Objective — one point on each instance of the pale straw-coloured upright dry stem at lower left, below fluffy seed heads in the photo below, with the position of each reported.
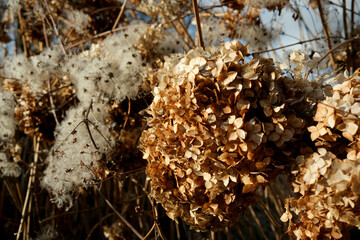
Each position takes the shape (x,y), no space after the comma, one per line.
(31,181)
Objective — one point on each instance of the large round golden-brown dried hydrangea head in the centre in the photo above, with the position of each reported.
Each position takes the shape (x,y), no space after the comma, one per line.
(220,127)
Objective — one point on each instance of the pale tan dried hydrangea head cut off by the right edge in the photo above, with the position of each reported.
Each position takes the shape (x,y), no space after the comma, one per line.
(327,180)
